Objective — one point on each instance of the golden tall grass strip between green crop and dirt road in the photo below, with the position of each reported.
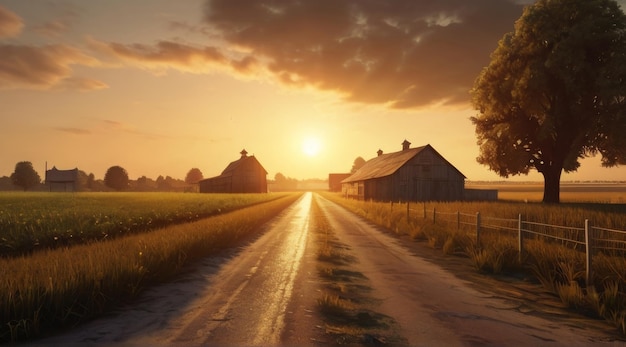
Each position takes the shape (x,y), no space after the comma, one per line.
(53,290)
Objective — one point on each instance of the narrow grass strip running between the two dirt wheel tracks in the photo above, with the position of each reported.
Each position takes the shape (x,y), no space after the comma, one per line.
(345,301)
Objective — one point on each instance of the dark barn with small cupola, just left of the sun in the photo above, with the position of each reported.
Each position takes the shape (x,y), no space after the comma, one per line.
(245,175)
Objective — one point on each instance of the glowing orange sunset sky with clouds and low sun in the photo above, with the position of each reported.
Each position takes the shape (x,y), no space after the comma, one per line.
(162,86)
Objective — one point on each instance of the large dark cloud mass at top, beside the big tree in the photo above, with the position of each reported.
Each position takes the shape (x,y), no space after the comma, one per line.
(403,53)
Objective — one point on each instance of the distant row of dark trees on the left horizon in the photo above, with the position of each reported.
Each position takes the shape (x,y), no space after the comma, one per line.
(116,178)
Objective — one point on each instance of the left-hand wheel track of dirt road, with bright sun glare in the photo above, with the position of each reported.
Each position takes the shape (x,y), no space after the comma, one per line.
(257,295)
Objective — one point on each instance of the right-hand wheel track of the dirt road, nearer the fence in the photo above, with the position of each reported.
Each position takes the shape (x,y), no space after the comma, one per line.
(434,307)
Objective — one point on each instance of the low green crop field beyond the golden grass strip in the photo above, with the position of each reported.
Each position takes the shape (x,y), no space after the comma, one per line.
(33,221)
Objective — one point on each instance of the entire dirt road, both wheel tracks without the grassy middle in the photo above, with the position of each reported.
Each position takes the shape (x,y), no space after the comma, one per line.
(264,293)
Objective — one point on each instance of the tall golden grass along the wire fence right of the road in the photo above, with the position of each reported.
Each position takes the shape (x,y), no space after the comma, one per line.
(559,269)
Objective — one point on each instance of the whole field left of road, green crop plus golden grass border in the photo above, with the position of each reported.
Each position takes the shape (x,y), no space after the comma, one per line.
(50,288)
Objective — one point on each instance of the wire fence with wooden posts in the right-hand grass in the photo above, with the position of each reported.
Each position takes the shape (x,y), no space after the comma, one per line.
(586,238)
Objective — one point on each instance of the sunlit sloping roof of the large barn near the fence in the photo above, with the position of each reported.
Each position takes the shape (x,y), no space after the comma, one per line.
(387,164)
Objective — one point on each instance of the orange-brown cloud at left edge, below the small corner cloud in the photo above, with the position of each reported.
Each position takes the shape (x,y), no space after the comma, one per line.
(43,67)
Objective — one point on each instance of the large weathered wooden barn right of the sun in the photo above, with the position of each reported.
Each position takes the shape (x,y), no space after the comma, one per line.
(412,174)
